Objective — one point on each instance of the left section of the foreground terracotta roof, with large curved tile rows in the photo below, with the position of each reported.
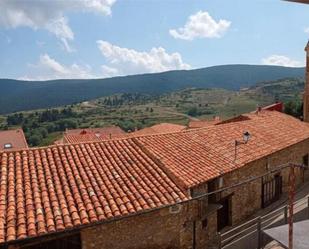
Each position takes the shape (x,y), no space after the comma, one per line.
(50,189)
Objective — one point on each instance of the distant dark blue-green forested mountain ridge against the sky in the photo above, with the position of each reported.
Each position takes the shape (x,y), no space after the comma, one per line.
(18,95)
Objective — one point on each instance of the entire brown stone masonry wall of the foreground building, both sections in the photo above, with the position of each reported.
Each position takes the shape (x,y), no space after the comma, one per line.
(161,229)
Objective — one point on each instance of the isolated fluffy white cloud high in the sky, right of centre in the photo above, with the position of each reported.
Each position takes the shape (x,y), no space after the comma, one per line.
(201,25)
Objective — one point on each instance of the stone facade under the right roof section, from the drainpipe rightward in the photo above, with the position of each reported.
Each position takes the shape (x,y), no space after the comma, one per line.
(246,199)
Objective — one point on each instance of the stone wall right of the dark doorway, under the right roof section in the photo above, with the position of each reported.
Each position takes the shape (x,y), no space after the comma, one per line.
(248,198)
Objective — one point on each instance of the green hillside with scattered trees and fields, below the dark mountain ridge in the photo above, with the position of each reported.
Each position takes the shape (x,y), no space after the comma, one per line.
(138,110)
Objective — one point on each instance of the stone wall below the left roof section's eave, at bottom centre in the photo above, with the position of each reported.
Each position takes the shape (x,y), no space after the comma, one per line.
(157,229)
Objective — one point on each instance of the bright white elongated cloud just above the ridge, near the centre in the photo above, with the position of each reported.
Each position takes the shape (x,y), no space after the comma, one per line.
(129,61)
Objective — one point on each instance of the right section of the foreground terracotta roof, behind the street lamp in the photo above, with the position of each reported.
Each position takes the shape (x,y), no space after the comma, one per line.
(196,156)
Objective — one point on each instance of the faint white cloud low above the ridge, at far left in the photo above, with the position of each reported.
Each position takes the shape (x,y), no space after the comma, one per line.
(48,68)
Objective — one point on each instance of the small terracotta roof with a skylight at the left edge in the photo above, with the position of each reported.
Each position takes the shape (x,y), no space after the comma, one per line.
(12,140)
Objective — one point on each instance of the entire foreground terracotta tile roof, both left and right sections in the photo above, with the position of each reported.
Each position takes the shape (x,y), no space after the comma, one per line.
(51,189)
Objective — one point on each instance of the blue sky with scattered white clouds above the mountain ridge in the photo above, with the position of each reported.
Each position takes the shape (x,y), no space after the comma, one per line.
(42,39)
